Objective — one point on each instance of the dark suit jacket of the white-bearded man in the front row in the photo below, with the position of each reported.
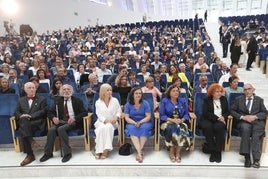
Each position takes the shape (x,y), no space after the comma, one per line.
(78,108)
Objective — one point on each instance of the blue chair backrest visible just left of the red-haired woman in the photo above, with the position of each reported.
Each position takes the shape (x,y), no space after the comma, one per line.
(198,107)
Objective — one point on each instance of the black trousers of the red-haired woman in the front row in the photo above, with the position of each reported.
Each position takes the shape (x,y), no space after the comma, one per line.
(214,133)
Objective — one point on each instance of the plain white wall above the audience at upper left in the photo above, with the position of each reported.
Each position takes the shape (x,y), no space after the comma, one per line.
(50,15)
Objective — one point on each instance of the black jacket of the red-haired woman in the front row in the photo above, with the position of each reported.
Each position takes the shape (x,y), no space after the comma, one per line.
(208,109)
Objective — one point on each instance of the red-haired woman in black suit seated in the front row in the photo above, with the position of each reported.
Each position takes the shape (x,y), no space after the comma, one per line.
(213,121)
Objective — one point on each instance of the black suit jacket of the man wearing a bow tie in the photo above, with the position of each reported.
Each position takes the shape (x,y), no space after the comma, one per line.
(38,111)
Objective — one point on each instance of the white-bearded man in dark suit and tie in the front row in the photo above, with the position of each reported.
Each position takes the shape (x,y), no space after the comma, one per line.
(67,114)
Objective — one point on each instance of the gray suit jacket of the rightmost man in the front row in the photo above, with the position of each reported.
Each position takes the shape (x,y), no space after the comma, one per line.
(239,108)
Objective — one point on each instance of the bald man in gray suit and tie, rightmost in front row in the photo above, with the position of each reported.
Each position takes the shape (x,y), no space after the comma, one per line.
(250,114)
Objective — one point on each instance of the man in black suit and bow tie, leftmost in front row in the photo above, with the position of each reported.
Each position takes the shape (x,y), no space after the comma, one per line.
(31,115)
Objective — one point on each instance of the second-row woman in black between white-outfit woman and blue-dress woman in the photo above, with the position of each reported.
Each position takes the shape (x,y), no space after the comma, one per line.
(122,87)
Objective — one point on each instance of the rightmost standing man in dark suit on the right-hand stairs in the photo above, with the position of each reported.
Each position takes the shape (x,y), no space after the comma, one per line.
(252,48)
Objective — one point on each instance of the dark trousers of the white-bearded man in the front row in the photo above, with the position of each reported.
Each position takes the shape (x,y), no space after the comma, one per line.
(62,131)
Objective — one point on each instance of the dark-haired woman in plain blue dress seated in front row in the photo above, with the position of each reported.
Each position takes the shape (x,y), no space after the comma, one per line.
(138,118)
